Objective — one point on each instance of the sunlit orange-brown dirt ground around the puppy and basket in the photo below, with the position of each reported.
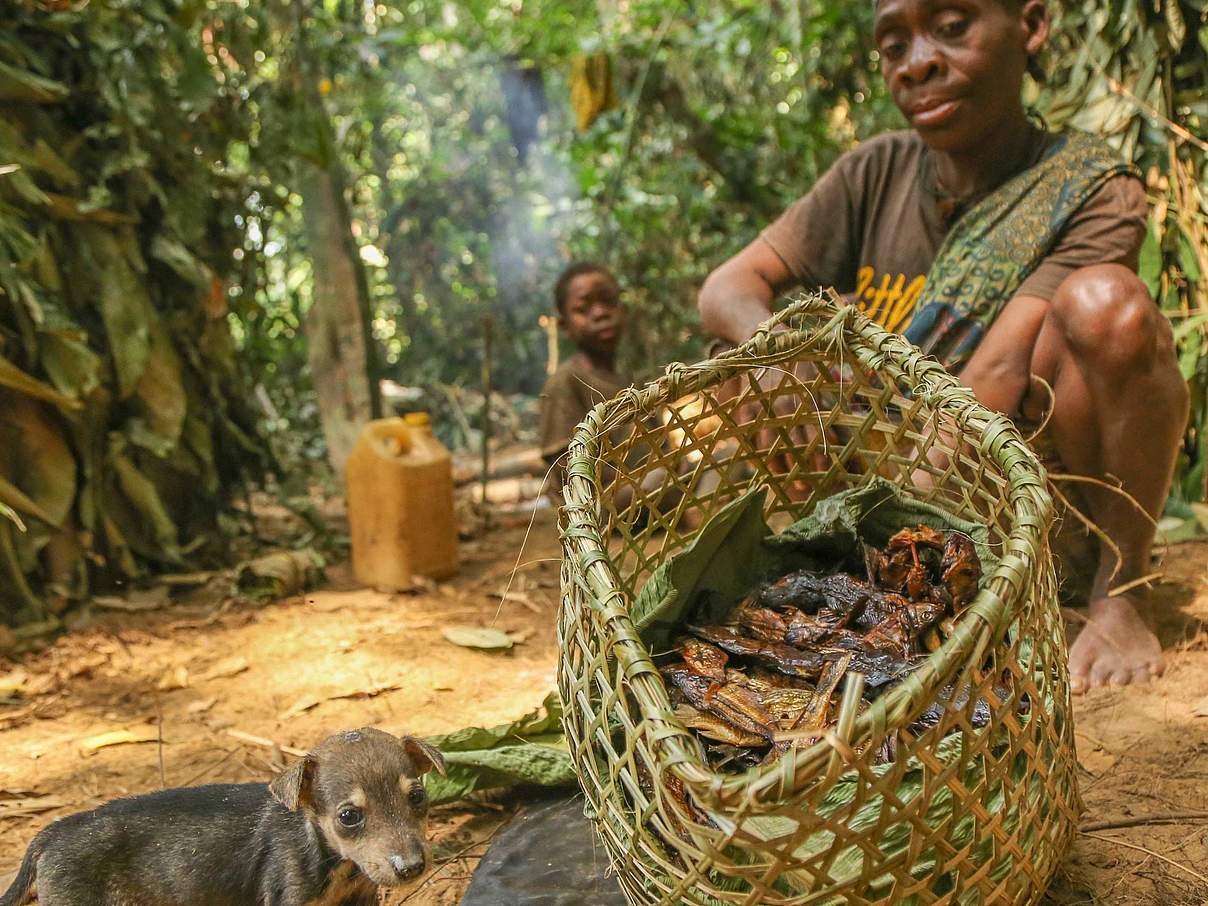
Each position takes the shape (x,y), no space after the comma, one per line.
(208,679)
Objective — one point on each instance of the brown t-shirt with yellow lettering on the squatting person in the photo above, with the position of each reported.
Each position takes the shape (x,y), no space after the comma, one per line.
(874,224)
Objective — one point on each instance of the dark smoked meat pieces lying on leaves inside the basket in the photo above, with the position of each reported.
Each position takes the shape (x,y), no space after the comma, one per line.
(766,678)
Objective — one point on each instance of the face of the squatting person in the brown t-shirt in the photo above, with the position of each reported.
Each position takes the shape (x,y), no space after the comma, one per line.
(956,67)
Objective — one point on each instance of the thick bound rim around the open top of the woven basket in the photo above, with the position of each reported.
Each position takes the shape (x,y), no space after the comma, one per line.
(994,609)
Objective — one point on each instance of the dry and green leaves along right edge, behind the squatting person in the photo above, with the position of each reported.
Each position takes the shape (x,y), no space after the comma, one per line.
(1137,73)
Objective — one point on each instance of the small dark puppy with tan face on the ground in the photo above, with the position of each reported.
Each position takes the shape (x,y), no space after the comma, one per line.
(328,832)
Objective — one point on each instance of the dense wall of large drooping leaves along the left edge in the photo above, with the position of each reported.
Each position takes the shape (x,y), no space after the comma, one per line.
(118,220)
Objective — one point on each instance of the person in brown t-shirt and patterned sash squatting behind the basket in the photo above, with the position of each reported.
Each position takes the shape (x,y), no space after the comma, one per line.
(1008,253)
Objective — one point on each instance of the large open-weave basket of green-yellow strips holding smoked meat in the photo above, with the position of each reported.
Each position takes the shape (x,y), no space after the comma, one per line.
(966,814)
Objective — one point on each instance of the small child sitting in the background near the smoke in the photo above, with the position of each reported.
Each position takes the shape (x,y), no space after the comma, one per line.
(588,300)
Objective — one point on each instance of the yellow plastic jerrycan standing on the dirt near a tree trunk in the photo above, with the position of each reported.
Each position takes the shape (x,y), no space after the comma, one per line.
(400,504)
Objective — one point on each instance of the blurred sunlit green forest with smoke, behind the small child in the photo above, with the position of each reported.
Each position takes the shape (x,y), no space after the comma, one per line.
(731,109)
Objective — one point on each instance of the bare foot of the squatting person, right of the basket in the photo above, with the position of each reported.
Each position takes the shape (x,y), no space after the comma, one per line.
(1117,647)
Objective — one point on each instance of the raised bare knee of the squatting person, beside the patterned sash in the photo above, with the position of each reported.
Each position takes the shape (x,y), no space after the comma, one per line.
(1106,315)
